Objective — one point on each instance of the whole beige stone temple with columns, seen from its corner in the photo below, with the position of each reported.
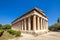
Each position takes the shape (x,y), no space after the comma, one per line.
(34,21)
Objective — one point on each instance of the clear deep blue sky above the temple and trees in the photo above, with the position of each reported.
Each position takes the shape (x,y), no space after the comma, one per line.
(11,9)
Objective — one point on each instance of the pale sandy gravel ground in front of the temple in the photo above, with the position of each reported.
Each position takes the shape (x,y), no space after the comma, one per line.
(47,36)
